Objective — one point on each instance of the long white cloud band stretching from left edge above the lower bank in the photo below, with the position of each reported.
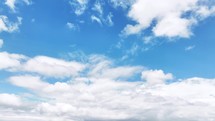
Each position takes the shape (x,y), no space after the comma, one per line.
(43,65)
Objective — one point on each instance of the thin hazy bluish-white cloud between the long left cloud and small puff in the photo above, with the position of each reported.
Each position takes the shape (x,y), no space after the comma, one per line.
(101,67)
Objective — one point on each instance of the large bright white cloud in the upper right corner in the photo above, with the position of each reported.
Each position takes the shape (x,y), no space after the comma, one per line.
(171,18)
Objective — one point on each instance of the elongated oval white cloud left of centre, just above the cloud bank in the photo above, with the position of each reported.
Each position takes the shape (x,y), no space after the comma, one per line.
(52,67)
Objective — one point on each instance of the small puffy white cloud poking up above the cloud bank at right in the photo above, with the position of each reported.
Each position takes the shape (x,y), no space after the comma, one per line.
(153,77)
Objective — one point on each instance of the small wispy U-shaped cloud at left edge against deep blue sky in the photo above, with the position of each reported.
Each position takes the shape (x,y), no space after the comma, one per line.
(7,26)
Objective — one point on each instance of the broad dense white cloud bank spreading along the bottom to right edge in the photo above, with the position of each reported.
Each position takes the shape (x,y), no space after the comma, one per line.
(115,100)
